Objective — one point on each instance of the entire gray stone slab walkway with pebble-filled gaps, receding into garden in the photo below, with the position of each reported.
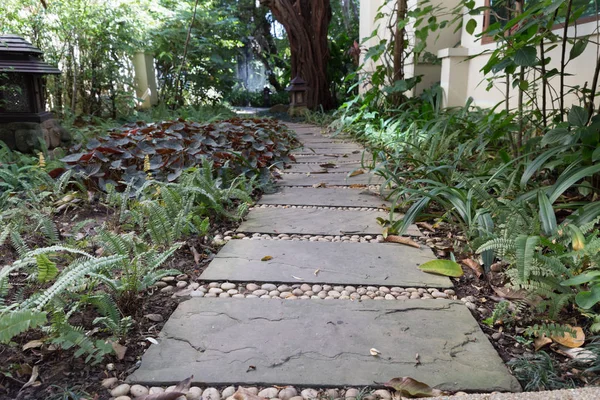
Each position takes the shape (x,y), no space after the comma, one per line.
(260,318)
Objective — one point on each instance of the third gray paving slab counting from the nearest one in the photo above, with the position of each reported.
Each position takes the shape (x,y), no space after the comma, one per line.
(313,221)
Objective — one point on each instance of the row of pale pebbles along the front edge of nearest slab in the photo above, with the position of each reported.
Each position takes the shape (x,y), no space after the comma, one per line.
(123,391)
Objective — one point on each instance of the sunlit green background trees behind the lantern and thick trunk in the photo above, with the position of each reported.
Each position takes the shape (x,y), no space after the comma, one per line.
(235,48)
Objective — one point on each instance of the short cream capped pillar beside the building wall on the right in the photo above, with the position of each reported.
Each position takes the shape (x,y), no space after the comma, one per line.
(454,76)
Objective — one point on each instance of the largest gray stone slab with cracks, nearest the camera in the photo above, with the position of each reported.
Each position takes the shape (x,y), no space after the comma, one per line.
(323,343)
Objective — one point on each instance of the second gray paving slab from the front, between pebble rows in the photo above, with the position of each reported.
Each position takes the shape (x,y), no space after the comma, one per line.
(372,264)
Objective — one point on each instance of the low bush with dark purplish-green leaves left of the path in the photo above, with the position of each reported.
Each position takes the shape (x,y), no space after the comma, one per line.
(164,150)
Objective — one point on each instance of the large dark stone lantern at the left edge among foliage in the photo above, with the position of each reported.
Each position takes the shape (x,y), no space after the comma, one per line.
(24,120)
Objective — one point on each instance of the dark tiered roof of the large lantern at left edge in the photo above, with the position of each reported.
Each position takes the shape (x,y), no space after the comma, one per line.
(18,55)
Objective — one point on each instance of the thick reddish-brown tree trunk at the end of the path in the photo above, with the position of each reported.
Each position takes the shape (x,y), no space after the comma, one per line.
(306,23)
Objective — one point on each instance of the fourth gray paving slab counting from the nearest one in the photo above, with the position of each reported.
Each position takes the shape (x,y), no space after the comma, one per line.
(337,197)
